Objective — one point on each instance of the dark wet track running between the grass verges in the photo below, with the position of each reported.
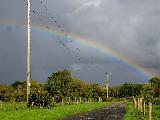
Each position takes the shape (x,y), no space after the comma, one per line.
(113,112)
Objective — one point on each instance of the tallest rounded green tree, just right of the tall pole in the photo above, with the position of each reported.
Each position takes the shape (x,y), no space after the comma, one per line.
(58,84)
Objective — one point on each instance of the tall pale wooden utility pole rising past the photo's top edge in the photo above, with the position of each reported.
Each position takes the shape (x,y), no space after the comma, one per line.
(29,50)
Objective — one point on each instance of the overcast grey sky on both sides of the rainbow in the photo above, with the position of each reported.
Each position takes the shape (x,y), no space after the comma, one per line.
(129,27)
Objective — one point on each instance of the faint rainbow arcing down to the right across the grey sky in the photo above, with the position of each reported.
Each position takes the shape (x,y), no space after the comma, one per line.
(89,43)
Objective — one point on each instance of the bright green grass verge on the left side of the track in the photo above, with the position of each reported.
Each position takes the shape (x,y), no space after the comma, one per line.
(20,112)
